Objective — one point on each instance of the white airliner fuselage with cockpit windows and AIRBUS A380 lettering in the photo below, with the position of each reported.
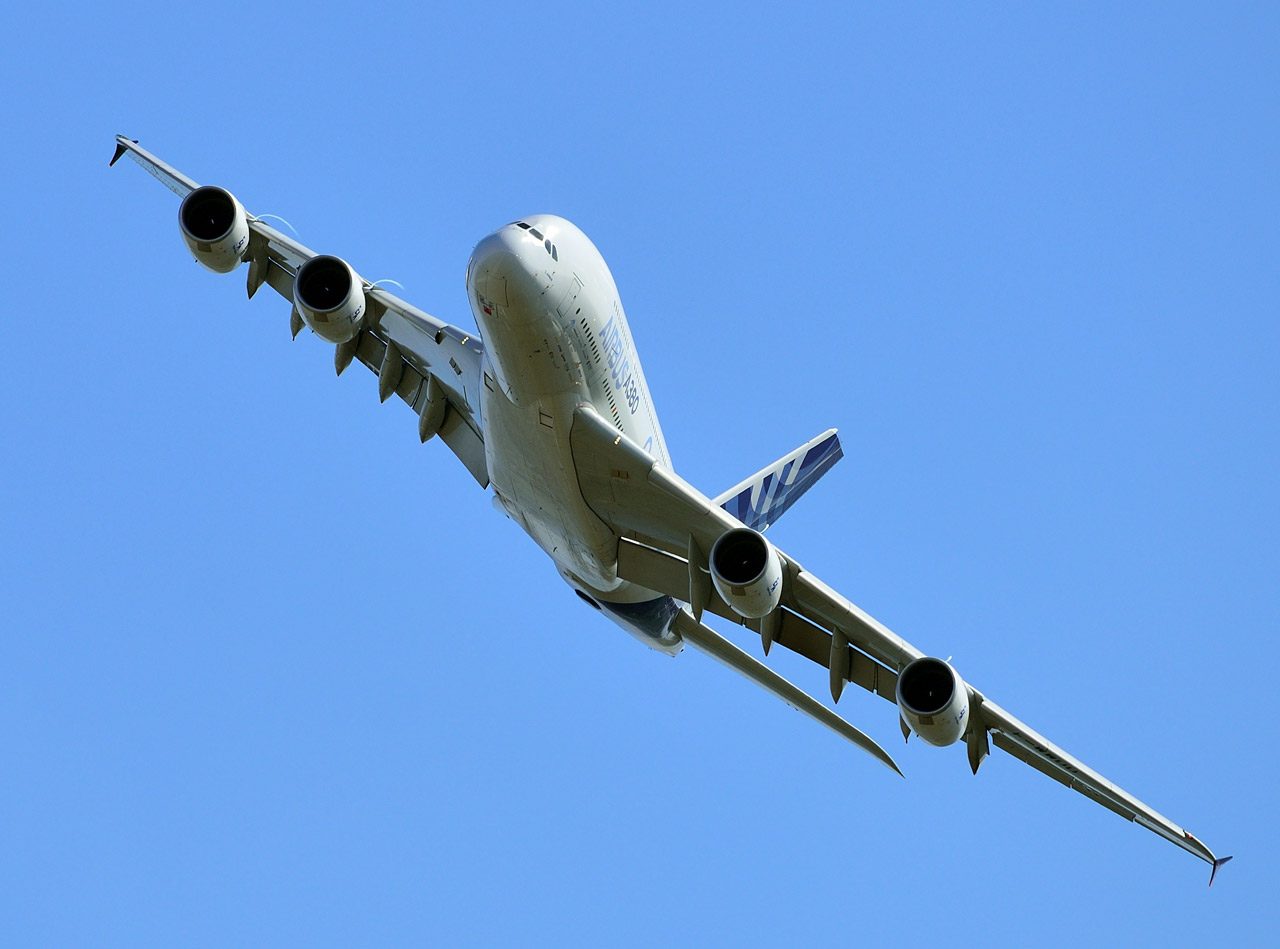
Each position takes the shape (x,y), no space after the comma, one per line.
(556,339)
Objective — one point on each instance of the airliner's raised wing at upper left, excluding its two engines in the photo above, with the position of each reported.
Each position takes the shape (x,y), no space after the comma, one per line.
(435,368)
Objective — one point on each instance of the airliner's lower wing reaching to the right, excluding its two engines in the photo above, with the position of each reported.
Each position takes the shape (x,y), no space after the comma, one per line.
(666,524)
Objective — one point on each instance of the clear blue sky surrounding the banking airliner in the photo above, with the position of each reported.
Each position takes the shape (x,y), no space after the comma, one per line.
(272,673)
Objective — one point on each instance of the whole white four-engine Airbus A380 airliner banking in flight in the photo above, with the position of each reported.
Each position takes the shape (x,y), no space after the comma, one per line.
(548,408)
